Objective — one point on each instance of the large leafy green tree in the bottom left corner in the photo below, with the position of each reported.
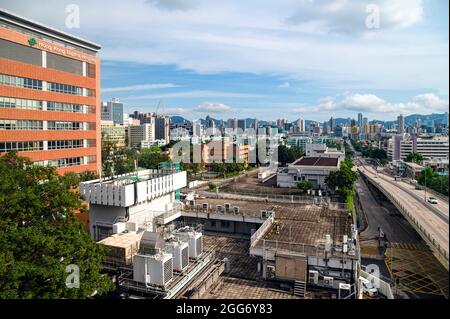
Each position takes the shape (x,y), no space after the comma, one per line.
(40,235)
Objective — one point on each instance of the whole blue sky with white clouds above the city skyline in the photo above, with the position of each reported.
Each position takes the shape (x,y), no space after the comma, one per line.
(269,59)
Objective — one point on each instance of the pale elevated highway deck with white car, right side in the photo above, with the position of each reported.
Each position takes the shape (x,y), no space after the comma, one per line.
(434,224)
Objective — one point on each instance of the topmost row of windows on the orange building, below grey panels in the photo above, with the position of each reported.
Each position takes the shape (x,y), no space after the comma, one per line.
(27,83)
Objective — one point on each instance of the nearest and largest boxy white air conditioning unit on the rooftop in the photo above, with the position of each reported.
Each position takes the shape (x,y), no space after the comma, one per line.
(153,270)
